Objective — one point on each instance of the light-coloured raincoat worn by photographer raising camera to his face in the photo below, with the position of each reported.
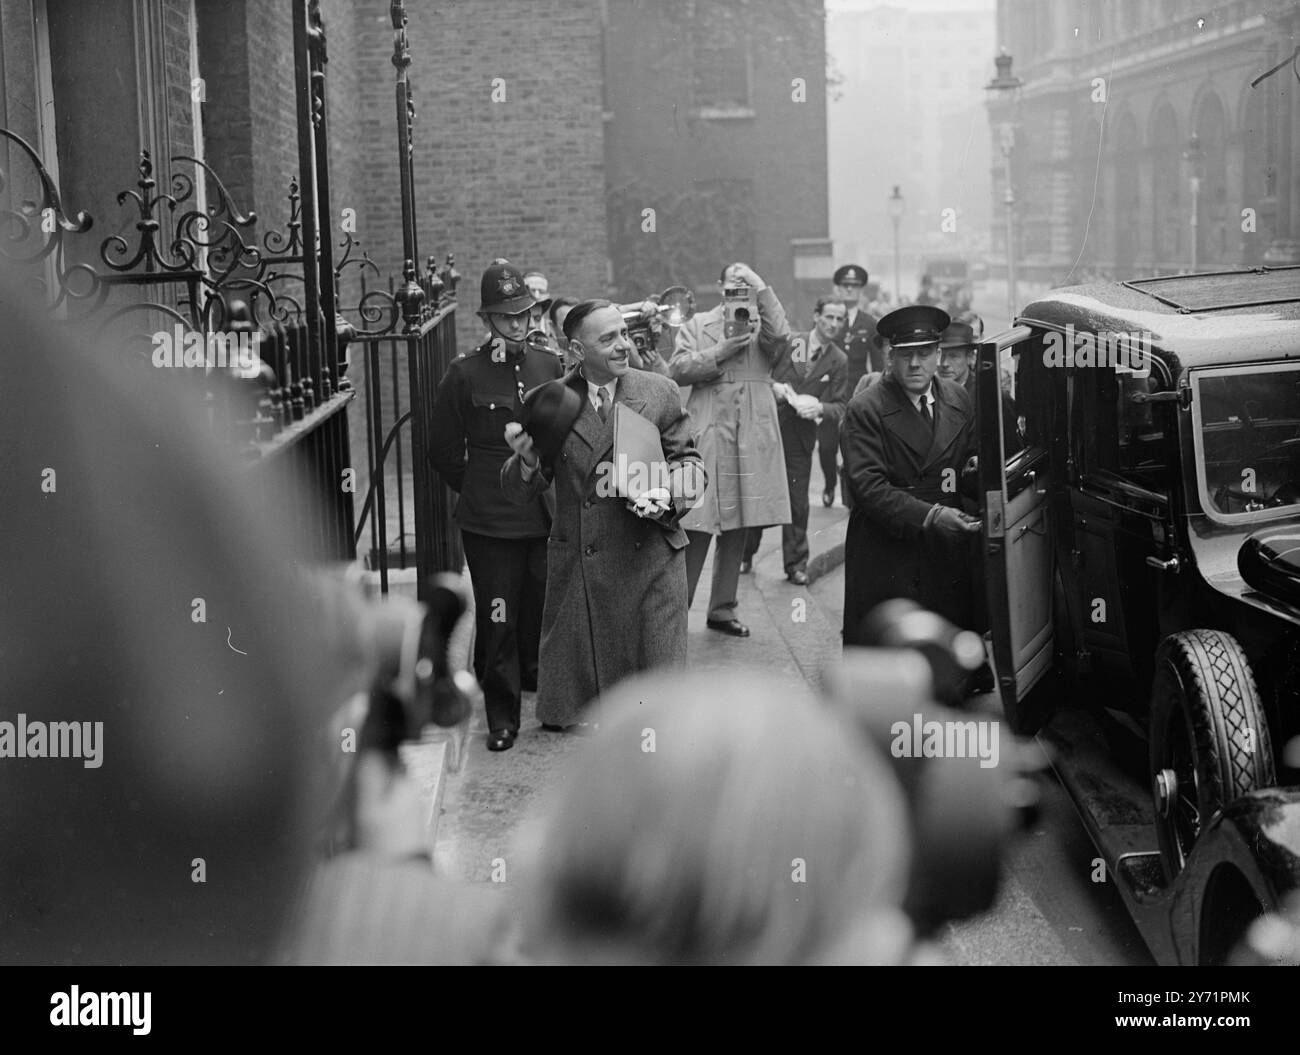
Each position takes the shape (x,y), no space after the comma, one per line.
(734,413)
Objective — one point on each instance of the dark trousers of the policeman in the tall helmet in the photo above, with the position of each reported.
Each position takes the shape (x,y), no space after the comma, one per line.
(510,588)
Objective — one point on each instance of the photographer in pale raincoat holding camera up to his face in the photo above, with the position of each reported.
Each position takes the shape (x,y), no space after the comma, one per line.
(740,439)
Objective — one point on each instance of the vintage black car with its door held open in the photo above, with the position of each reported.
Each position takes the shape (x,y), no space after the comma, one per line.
(1142,559)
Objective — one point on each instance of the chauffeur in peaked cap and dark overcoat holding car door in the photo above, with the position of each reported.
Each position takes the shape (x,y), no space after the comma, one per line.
(907,441)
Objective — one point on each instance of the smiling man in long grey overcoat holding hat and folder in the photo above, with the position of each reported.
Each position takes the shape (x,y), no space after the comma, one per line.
(617,600)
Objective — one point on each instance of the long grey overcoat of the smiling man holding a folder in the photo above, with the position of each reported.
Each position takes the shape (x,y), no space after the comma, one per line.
(616,583)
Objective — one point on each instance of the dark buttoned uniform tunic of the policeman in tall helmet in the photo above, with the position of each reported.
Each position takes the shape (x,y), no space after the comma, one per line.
(479,396)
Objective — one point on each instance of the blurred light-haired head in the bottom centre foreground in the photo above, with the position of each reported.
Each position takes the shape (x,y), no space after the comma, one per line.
(720,820)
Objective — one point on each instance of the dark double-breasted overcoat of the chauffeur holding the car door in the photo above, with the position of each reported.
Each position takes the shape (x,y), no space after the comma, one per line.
(895,468)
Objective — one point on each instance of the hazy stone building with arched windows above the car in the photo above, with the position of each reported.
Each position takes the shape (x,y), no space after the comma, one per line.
(1141,146)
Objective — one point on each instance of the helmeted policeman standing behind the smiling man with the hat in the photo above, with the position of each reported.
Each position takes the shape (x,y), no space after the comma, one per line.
(505,544)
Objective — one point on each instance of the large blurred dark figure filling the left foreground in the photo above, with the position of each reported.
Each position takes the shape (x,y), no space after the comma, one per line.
(158,609)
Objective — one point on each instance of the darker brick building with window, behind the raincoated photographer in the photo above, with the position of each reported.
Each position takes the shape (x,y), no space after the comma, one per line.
(716,146)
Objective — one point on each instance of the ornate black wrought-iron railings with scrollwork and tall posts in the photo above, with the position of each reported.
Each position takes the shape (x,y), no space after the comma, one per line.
(213,280)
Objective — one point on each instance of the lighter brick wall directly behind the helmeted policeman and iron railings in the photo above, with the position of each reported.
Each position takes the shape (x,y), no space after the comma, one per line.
(521,179)
